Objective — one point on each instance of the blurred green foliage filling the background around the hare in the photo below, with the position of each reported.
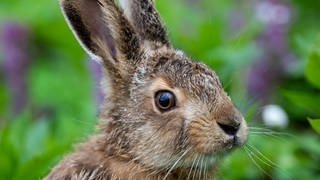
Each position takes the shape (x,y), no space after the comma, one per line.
(61,109)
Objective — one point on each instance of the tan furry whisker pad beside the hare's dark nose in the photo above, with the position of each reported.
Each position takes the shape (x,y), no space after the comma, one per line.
(206,137)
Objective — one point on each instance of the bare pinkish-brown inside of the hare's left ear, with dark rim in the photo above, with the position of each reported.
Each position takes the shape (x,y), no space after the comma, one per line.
(86,19)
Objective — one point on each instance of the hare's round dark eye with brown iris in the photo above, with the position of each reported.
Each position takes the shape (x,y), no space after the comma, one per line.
(165,100)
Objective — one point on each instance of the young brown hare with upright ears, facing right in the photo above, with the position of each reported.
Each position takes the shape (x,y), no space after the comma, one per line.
(164,117)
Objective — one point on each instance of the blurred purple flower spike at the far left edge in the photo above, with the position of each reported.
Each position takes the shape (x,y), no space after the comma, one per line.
(14,41)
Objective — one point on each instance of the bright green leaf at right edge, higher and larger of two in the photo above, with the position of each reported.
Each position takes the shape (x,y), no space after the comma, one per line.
(313,69)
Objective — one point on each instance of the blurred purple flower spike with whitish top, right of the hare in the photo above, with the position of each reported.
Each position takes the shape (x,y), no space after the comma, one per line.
(267,73)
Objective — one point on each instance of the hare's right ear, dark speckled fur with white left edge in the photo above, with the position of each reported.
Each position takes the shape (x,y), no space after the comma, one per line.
(146,21)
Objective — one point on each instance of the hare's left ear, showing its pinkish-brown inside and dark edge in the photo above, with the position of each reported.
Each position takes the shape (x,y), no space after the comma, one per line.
(103,31)
